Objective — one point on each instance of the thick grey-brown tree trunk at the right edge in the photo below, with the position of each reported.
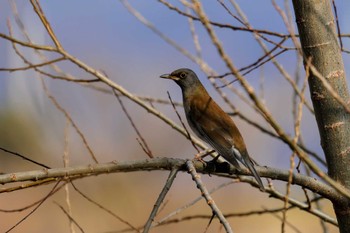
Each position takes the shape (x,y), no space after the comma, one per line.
(319,42)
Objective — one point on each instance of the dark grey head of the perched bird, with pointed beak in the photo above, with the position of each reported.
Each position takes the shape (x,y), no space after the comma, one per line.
(184,77)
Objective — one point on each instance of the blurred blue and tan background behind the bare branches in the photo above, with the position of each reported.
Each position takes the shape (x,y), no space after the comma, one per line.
(107,37)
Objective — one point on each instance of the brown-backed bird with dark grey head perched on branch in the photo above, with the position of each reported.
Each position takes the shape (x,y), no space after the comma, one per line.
(210,123)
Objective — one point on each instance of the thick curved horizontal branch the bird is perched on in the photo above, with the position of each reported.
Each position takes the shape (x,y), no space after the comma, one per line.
(307,182)
